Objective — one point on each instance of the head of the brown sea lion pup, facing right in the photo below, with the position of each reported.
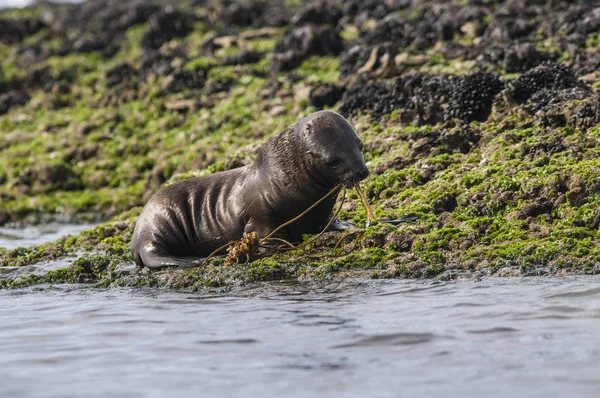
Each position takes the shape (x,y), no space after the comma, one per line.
(333,148)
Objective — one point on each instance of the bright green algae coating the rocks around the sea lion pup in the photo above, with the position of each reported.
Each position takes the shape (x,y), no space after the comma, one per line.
(525,196)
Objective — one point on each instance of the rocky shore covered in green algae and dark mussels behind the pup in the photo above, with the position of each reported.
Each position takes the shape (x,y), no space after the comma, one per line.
(481,117)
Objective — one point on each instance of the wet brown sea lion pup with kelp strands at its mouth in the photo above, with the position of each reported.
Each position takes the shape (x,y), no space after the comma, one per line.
(184,222)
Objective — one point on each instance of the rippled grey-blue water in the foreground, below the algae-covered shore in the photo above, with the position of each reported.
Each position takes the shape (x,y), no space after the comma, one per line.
(496,337)
